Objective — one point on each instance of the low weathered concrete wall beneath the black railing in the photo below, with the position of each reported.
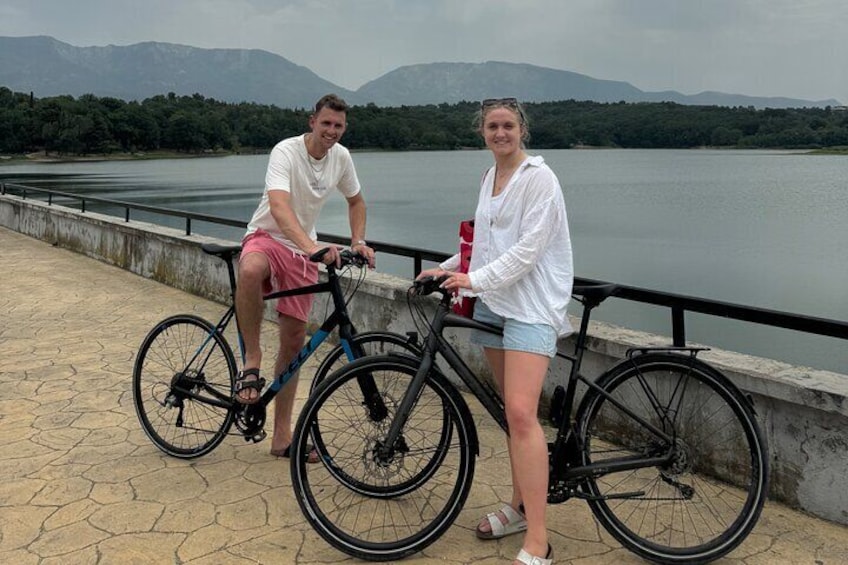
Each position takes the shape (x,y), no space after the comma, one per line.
(803,412)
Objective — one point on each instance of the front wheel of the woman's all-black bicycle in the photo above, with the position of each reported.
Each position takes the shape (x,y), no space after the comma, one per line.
(355,521)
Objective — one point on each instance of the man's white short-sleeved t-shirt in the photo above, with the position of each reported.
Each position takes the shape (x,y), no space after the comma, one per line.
(309,181)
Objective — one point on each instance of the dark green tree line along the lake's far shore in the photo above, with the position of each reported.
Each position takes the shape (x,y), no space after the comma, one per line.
(90,125)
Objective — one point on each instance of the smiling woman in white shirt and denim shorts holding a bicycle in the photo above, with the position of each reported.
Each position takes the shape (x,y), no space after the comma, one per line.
(521,271)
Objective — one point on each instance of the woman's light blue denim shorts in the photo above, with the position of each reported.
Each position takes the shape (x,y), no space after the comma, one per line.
(518,336)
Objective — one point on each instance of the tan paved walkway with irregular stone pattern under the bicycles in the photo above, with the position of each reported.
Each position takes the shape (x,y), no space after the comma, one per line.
(81,483)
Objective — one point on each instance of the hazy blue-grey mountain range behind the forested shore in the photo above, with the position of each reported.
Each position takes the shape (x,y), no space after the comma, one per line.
(48,67)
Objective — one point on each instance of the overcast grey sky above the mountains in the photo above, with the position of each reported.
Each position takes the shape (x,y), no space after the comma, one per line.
(794,48)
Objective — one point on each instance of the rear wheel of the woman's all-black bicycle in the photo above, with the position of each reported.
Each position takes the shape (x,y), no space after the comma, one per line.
(706,500)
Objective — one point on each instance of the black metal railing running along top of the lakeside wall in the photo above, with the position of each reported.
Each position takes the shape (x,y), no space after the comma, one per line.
(677,303)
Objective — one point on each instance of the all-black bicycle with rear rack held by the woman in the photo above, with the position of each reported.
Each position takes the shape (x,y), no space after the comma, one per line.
(665,449)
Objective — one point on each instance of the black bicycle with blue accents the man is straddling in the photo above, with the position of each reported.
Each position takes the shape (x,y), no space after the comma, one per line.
(185,370)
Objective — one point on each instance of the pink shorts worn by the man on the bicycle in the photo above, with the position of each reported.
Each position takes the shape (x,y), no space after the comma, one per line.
(288,270)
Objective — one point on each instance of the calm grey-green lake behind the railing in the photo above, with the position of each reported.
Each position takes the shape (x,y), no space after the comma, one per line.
(761,228)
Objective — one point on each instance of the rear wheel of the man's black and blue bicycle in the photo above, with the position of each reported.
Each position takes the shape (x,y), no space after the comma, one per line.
(184,352)
